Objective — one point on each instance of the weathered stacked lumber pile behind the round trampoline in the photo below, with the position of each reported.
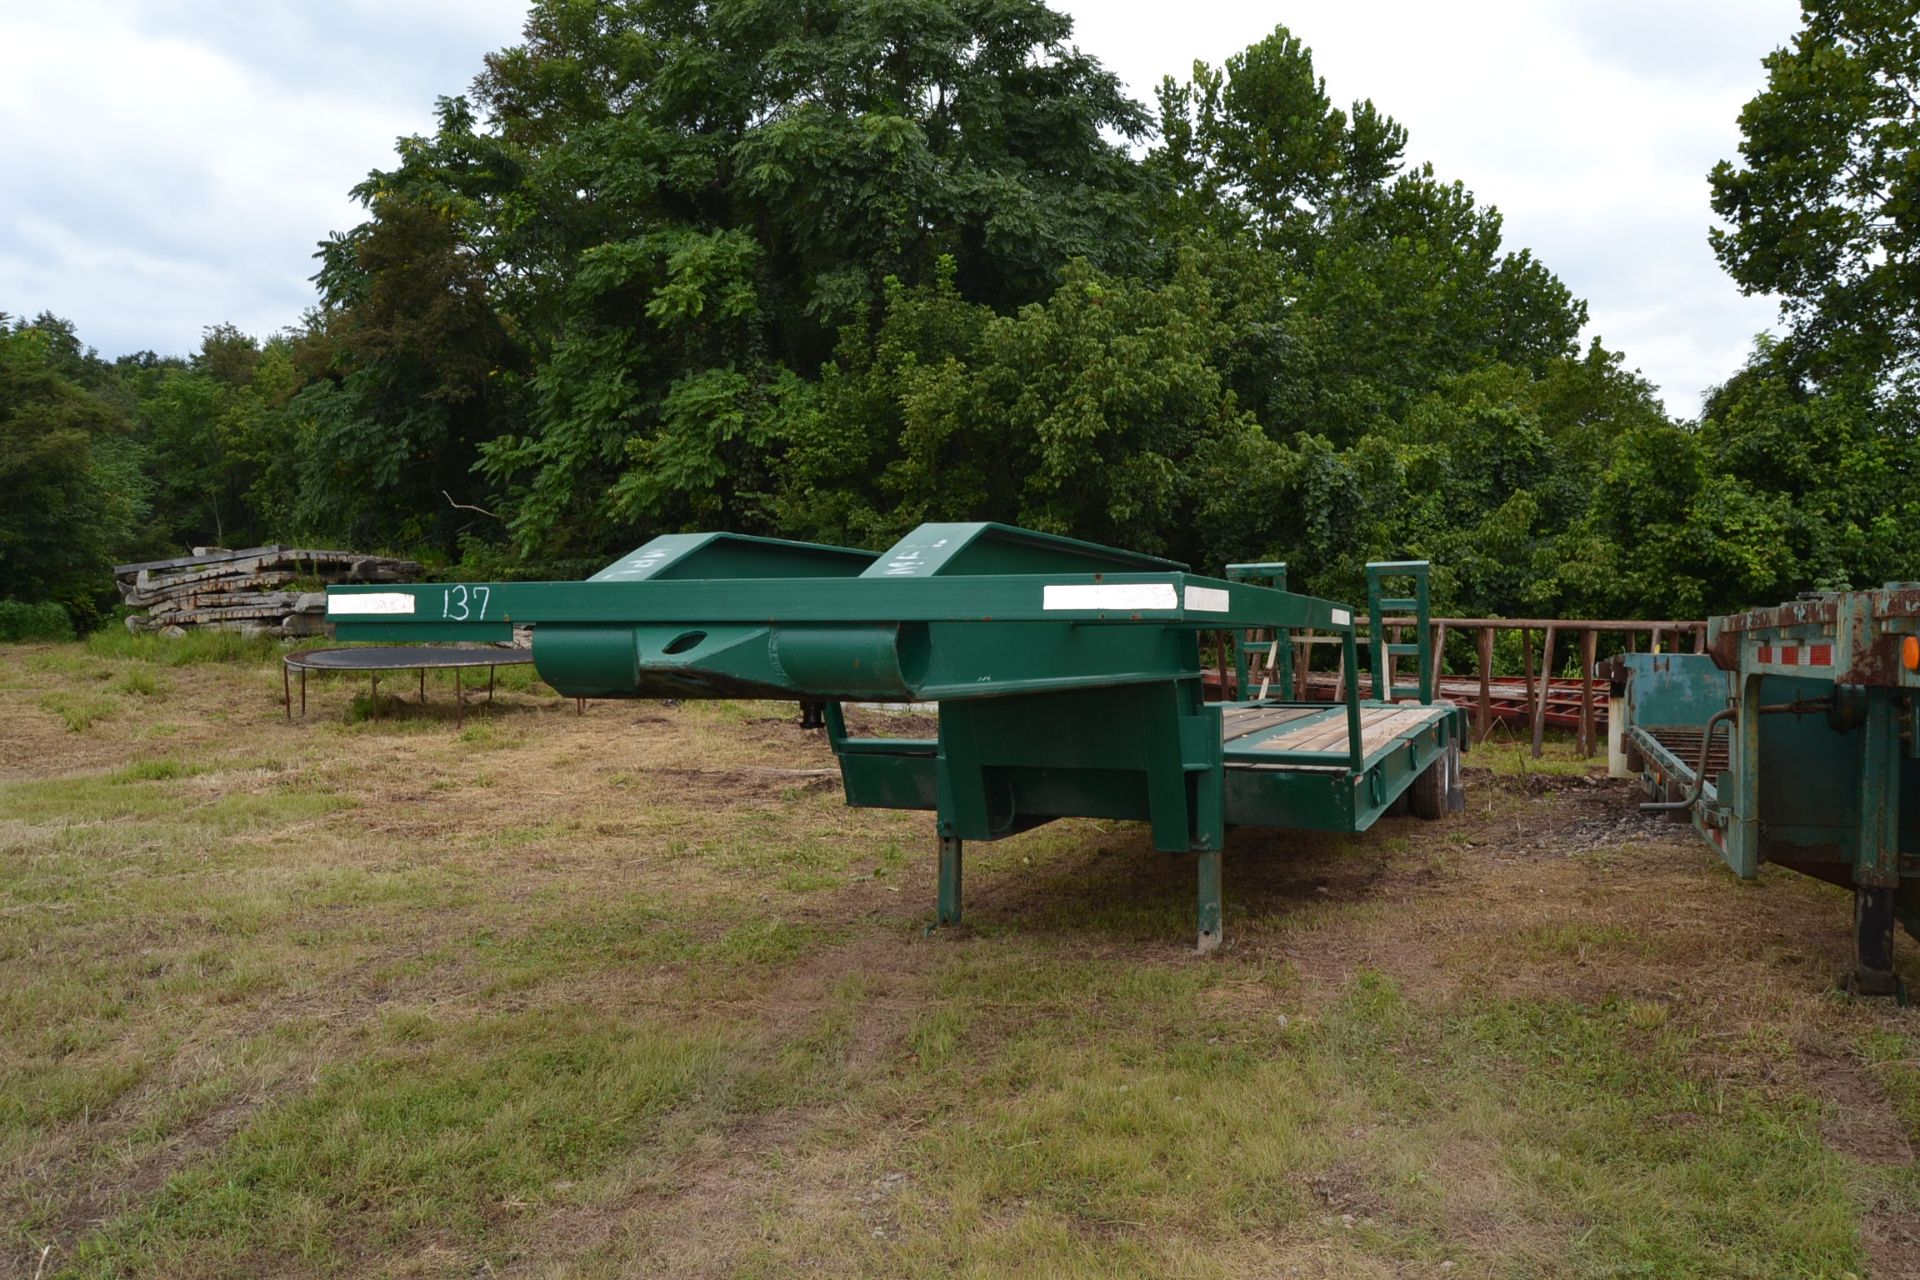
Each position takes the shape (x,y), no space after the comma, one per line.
(262,590)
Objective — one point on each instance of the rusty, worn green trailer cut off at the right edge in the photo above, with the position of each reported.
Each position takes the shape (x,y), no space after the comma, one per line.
(1796,740)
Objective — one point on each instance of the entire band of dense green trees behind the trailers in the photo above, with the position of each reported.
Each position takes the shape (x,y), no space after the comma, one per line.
(830,270)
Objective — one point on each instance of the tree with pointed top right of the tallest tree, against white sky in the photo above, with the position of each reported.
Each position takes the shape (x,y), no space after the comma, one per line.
(1355,283)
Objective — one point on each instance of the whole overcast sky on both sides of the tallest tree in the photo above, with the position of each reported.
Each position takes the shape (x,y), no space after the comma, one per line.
(170,164)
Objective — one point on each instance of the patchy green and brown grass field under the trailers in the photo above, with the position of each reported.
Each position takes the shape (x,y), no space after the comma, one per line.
(635,995)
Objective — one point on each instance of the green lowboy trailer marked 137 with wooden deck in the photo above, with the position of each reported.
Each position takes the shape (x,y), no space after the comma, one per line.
(1067,676)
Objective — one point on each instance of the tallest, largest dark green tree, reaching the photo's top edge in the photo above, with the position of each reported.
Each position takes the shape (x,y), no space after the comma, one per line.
(669,212)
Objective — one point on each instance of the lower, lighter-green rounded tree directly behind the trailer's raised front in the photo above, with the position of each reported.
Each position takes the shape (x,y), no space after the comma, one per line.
(1088,414)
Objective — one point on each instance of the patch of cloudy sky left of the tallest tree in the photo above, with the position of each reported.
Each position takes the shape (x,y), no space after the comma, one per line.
(174,166)
